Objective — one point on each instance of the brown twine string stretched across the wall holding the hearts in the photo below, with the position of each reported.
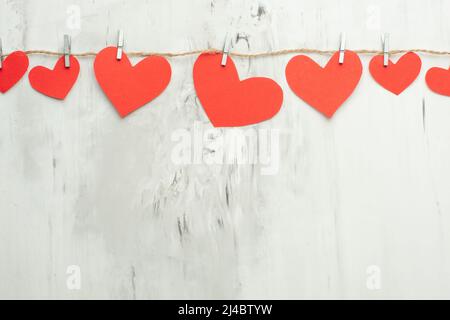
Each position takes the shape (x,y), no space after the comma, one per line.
(237,54)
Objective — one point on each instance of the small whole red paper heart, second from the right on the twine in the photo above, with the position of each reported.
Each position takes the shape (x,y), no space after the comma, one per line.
(396,77)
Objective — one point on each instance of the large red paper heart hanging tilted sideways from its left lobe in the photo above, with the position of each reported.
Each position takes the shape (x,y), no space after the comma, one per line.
(229,102)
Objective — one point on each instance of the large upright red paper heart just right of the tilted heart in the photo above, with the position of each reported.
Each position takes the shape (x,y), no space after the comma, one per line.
(326,88)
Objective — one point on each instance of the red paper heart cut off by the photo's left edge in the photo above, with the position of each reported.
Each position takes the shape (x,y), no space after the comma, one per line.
(14,67)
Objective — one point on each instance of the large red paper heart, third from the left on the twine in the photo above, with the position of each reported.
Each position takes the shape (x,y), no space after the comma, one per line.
(127,87)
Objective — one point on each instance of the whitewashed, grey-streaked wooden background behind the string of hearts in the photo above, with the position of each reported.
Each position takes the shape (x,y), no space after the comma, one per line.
(79,186)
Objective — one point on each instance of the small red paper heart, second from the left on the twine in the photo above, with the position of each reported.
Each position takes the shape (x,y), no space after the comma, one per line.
(55,83)
